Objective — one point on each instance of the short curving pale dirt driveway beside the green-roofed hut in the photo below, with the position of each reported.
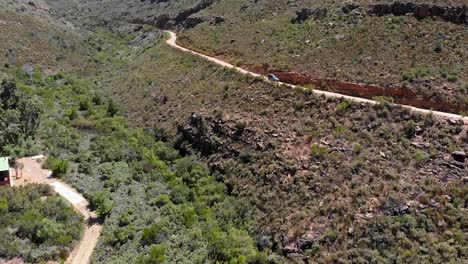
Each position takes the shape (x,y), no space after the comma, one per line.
(33,173)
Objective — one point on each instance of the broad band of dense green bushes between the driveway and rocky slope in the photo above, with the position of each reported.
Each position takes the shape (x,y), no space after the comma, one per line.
(157,205)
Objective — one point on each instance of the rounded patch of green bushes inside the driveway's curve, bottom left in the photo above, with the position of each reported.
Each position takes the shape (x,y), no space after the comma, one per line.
(36,224)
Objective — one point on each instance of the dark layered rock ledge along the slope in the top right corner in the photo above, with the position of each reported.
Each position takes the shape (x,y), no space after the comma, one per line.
(454,14)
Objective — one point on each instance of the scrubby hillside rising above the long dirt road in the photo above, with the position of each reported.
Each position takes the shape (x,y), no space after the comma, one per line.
(415,46)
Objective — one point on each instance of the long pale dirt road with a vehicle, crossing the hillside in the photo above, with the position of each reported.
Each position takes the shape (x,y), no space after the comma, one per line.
(173,39)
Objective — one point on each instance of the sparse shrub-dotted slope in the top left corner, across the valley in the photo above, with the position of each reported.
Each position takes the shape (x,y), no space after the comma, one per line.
(34,39)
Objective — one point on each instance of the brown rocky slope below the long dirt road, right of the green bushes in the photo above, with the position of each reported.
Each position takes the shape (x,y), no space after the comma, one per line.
(304,170)
